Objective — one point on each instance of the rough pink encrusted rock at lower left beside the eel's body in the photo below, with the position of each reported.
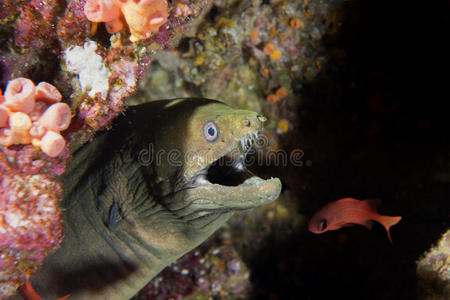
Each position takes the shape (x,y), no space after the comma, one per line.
(29,226)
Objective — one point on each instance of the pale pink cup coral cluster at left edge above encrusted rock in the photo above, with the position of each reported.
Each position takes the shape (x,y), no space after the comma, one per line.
(33,114)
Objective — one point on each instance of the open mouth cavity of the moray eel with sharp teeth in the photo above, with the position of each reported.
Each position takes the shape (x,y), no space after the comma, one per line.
(230,169)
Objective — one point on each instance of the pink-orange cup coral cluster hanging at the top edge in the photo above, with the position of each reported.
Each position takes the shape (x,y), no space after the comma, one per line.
(143,17)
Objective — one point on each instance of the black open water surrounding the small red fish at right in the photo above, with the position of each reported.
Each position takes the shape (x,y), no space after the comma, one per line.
(373,124)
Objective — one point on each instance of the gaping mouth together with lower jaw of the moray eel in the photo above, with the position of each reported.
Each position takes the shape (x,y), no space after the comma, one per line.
(230,185)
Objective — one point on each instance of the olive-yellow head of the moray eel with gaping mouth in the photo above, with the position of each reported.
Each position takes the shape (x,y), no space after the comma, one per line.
(204,167)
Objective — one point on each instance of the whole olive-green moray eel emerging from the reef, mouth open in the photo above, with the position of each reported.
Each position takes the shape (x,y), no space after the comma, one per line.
(161,181)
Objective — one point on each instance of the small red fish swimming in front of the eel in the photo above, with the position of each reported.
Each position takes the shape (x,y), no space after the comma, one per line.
(348,212)
